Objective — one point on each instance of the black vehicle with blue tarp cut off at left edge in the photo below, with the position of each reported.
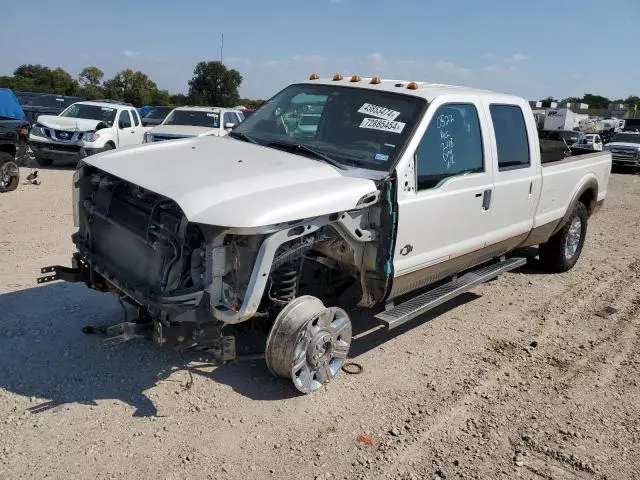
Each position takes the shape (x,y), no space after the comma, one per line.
(14,131)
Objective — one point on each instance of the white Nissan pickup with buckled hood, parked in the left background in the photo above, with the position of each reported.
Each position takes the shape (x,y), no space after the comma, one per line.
(83,129)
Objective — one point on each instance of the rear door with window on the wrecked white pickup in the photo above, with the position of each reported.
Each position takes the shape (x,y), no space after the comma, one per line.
(517,180)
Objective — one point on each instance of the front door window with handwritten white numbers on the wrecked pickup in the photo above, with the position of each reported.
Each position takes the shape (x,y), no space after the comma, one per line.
(451,146)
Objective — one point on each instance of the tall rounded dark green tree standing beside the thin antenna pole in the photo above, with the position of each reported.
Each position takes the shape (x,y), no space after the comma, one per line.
(214,84)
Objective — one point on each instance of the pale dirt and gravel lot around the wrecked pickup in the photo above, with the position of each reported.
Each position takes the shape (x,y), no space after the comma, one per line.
(532,376)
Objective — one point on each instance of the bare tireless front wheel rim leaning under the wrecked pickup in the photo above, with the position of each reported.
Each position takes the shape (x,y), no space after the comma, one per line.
(308,343)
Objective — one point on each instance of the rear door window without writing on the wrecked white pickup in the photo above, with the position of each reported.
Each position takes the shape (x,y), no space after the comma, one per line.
(511,137)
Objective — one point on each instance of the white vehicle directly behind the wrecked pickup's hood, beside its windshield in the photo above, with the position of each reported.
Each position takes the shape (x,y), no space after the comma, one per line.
(185,122)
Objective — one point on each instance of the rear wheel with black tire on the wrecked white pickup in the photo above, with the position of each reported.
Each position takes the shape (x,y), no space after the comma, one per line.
(562,250)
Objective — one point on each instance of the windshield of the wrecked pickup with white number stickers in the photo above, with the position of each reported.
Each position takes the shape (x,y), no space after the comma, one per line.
(360,127)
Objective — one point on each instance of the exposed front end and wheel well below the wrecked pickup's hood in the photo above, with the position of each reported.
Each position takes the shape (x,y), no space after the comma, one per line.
(140,245)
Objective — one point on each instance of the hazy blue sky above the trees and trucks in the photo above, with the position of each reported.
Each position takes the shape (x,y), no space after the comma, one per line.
(511,46)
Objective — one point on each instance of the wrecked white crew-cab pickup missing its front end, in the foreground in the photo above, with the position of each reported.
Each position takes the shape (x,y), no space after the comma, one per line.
(406,195)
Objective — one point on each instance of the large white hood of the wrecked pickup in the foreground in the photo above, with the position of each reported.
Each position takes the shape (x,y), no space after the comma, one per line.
(226,182)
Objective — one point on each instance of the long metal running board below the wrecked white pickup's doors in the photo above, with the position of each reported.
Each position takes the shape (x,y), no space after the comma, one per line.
(416,306)
